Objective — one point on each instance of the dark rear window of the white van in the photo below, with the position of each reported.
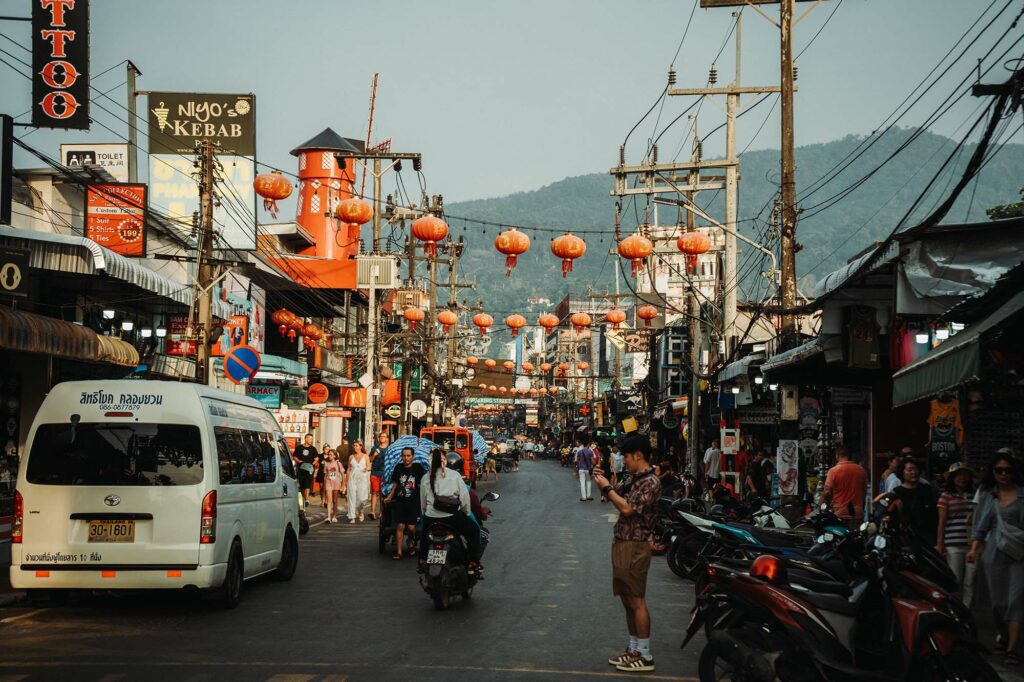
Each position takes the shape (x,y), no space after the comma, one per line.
(109,454)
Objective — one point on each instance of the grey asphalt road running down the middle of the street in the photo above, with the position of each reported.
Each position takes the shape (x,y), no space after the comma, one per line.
(544,613)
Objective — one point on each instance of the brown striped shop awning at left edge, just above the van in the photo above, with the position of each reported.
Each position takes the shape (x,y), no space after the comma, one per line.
(28,332)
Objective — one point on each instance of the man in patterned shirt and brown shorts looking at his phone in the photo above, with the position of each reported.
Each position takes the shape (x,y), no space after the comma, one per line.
(636,499)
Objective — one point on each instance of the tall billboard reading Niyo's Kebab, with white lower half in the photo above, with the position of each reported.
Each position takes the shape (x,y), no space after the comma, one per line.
(177,122)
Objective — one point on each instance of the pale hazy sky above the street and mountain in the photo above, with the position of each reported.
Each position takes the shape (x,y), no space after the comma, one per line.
(502,97)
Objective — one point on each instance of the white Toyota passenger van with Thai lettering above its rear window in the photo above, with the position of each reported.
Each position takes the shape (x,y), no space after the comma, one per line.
(153,485)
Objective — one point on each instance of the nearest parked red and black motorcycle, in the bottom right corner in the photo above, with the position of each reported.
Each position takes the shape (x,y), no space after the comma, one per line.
(774,621)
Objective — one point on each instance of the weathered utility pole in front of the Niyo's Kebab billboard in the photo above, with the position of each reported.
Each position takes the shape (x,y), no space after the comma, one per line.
(204,267)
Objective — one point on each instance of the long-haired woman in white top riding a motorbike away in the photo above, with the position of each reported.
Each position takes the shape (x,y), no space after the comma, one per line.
(446,498)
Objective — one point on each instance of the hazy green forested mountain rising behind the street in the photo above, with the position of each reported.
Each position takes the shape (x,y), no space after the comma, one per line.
(830,234)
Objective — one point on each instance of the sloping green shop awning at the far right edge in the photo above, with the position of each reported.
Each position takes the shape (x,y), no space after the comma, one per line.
(957,361)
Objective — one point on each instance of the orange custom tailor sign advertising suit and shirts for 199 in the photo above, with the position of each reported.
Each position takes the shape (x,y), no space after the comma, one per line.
(115,218)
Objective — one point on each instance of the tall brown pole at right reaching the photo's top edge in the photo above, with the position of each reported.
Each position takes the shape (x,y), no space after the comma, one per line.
(789,185)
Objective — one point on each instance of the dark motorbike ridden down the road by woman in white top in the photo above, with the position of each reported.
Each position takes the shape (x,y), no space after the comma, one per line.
(446,571)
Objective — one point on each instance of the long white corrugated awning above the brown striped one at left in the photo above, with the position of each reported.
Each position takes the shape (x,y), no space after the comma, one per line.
(79,255)
